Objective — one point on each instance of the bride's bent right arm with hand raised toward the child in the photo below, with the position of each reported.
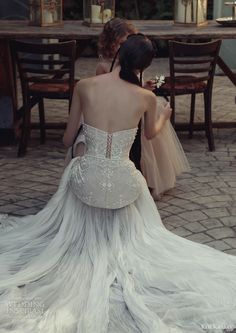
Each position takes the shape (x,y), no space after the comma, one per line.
(153,126)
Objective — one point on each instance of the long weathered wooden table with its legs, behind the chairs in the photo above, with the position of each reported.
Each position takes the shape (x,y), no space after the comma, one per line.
(75,30)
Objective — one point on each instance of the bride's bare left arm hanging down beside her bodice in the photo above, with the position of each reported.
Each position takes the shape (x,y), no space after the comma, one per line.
(74,117)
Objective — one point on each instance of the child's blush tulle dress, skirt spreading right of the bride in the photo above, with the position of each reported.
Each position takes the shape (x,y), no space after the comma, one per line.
(162,158)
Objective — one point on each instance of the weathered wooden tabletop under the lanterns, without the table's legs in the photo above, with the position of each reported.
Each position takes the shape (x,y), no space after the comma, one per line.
(154,29)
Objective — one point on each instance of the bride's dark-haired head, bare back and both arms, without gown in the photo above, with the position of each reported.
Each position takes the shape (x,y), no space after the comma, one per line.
(111,103)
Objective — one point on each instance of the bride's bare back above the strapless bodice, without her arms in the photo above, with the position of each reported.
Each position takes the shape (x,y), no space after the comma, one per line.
(113,104)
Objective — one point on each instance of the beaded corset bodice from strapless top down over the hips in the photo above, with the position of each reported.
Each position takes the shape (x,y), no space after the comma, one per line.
(104,176)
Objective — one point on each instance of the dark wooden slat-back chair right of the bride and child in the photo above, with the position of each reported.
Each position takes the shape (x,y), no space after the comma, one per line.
(192,69)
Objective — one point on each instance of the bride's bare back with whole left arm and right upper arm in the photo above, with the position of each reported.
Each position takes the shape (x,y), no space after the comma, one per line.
(111,104)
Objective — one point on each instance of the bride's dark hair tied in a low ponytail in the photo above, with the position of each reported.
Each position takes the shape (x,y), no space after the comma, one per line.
(136,53)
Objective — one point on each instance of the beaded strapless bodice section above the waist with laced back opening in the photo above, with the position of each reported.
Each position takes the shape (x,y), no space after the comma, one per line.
(103,144)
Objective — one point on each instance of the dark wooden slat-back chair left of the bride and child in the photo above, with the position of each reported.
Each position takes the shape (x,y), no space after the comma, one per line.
(46,71)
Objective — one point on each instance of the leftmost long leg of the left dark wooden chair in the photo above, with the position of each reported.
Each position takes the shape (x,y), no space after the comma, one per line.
(25,132)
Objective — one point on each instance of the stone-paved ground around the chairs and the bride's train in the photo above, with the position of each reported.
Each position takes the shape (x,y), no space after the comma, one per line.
(202,206)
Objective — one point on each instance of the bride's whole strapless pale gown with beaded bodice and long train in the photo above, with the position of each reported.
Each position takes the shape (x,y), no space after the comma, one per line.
(97,258)
